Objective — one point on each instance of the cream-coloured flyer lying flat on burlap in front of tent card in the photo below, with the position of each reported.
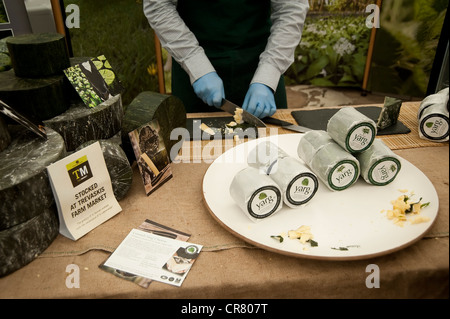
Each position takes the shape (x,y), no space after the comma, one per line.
(154,257)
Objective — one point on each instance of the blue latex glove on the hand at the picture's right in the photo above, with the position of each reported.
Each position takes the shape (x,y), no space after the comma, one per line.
(260,101)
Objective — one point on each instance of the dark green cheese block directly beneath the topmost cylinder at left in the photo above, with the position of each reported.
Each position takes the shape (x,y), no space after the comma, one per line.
(39,98)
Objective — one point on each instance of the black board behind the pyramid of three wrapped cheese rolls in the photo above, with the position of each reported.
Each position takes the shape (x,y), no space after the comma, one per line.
(318,119)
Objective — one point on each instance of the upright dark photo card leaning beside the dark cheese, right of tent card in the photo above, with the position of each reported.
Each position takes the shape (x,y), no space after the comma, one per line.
(151,156)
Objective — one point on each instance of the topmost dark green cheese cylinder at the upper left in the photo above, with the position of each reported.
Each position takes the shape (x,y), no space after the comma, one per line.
(38,55)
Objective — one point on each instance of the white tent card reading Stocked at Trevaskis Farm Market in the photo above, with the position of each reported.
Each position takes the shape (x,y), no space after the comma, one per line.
(83,191)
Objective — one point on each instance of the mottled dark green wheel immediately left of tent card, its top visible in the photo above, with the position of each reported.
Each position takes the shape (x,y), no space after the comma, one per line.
(25,189)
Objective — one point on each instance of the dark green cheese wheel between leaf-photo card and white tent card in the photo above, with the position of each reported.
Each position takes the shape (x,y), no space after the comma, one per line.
(80,124)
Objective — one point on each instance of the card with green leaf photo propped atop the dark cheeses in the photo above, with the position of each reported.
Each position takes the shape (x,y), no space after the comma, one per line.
(89,83)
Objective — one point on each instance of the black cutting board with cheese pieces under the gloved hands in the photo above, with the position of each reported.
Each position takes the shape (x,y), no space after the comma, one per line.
(218,124)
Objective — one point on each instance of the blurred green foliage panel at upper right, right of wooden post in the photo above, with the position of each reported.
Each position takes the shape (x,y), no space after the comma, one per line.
(405,46)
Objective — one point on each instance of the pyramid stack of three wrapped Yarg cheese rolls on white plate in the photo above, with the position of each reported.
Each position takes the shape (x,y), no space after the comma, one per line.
(348,150)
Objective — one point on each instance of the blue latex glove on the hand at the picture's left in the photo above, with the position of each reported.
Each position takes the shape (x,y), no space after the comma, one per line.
(210,89)
